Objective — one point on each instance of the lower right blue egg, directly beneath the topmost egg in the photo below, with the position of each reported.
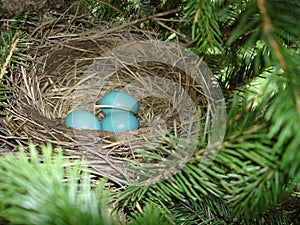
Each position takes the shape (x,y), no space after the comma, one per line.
(120,122)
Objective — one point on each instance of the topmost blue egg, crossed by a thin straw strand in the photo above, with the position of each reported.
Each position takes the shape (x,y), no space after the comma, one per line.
(119,99)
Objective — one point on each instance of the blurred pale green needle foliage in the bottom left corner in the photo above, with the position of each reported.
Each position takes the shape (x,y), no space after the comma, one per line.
(47,191)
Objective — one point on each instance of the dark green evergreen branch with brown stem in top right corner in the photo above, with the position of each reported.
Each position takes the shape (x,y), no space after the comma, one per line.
(265,36)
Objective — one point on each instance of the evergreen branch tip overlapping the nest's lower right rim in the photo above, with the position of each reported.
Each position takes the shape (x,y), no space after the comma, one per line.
(186,179)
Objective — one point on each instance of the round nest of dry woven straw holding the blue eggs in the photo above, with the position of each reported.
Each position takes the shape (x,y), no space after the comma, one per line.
(68,67)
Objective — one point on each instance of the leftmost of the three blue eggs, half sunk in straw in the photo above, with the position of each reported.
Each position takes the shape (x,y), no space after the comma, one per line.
(82,119)
